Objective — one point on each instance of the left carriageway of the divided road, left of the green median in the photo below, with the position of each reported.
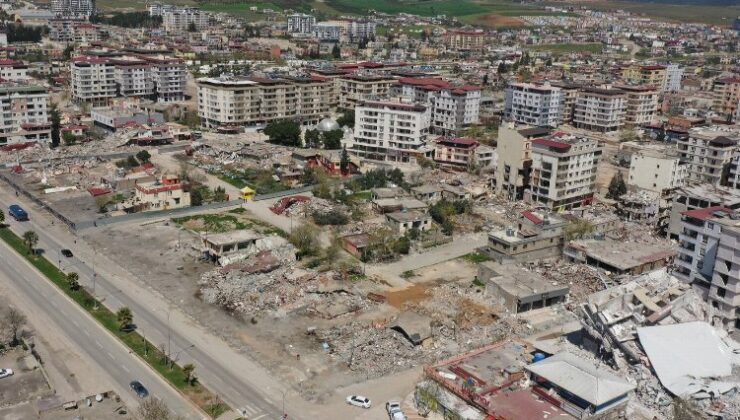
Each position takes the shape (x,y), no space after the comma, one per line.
(99,346)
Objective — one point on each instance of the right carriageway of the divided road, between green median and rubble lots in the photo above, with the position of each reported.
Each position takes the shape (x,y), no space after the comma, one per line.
(231,377)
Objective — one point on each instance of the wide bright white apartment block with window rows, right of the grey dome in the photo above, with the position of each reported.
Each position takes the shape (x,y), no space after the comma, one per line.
(390,131)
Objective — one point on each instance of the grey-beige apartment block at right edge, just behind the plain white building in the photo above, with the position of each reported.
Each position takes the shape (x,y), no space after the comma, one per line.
(709,152)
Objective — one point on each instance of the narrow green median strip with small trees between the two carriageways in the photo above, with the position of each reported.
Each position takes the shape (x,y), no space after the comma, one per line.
(153,356)
